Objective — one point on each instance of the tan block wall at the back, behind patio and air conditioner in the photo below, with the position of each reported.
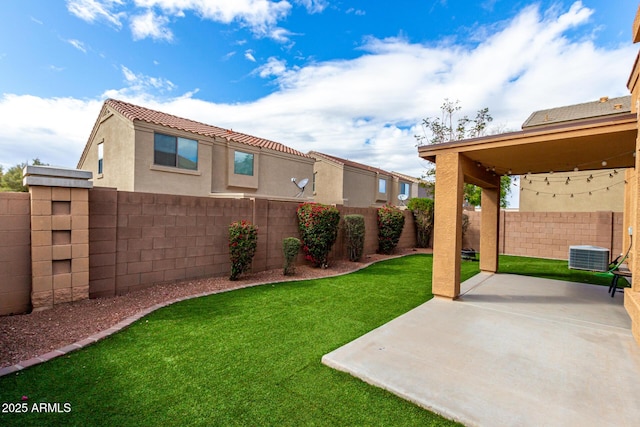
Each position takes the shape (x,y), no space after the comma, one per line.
(549,234)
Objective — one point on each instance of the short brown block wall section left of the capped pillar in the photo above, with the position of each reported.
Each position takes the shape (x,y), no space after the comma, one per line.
(15,253)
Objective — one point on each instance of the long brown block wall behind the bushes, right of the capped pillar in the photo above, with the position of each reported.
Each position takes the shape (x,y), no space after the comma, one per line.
(140,239)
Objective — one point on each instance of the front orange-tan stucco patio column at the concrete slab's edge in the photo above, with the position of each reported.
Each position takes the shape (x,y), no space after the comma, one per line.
(447,232)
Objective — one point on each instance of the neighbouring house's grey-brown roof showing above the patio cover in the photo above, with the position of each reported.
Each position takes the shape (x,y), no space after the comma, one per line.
(588,110)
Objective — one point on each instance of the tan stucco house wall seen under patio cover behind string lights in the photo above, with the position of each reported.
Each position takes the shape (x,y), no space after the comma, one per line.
(606,188)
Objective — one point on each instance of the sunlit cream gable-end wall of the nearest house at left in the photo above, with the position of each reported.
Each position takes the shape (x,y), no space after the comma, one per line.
(117,136)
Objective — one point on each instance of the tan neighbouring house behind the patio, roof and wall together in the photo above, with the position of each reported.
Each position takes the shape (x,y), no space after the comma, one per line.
(578,190)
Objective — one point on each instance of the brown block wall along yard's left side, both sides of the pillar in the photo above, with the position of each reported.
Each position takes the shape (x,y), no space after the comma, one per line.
(136,240)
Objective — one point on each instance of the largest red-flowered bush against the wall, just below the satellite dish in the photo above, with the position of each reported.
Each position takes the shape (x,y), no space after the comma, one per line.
(318,225)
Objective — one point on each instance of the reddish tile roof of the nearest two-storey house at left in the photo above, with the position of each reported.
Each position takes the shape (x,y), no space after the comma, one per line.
(135,112)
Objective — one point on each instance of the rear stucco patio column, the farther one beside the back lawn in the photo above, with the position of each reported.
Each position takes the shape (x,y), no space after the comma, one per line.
(489,229)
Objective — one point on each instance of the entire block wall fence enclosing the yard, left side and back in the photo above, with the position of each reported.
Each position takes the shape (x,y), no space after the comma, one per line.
(137,240)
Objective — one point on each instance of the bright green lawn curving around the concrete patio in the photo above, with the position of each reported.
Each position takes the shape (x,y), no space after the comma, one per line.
(246,357)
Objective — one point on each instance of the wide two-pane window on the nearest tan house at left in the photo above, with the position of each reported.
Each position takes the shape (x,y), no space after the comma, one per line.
(175,151)
